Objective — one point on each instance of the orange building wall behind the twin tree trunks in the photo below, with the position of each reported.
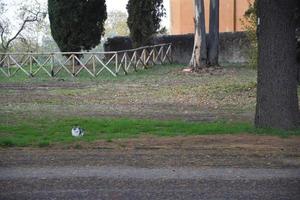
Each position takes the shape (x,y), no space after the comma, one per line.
(231,13)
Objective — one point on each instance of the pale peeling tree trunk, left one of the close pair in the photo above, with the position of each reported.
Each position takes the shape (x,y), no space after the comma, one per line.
(199,57)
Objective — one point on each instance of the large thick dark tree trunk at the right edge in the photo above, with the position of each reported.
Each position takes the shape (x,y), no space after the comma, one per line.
(277,100)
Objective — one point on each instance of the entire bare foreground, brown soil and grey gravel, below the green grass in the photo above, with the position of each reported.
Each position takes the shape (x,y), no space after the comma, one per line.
(207,167)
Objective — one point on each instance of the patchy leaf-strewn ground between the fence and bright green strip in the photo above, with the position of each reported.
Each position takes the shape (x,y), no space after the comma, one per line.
(166,93)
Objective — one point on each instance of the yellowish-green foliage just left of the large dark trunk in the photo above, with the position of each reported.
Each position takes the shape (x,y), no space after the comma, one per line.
(250,24)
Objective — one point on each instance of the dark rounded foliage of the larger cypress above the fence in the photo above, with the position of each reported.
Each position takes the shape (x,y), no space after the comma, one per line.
(77,24)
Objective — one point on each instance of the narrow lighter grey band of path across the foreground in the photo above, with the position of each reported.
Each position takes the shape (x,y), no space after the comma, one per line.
(123,172)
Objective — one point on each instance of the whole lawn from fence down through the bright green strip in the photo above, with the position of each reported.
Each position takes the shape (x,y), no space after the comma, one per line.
(41,111)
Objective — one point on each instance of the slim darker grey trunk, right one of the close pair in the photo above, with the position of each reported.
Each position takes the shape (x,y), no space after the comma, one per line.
(213,43)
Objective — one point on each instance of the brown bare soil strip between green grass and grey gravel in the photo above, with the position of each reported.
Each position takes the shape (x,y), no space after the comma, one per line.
(242,151)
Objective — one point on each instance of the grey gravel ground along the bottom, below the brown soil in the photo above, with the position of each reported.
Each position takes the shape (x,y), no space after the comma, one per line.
(133,183)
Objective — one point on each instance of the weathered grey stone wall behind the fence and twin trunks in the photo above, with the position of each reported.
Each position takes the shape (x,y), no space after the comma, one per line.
(233,46)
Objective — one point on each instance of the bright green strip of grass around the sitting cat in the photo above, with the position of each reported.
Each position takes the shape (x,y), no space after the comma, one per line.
(46,132)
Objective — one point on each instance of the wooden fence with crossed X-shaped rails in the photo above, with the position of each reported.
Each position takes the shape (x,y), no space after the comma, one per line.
(94,63)
